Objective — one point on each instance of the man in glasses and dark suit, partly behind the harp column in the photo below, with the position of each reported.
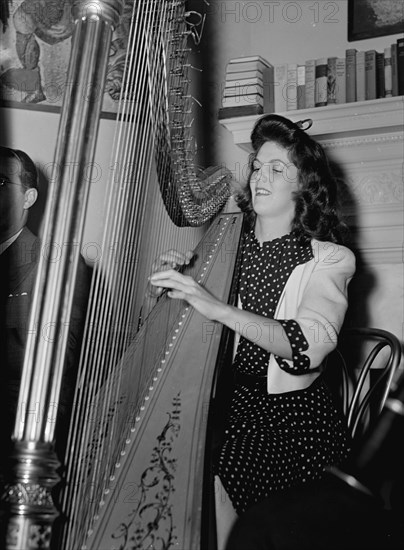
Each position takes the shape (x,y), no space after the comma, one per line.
(20,251)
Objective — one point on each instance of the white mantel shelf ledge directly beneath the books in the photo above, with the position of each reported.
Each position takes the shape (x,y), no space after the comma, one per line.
(333,121)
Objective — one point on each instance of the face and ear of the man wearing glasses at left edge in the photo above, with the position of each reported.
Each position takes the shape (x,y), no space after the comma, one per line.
(14,199)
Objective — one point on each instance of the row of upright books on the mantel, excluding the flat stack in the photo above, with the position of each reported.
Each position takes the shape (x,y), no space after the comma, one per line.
(359,76)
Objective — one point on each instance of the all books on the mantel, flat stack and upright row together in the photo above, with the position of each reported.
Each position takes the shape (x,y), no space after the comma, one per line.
(254,86)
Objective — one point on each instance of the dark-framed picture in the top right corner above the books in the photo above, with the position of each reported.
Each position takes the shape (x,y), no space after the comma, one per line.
(371,18)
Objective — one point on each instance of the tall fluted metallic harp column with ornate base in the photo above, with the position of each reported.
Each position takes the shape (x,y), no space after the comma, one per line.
(27,505)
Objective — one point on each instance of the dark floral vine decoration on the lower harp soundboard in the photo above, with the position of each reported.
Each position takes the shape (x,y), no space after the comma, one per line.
(150,524)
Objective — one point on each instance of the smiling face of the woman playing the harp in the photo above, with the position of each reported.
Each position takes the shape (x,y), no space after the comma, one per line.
(273,181)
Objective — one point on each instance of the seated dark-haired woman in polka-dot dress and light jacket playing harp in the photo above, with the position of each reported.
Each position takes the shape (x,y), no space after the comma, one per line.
(283,428)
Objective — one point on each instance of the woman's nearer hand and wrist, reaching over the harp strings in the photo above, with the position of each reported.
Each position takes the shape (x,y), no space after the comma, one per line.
(183,287)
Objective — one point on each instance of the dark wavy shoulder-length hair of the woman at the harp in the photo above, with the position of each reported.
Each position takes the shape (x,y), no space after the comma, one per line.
(317,213)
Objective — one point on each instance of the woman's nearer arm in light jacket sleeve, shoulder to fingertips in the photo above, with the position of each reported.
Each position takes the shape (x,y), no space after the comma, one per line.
(318,317)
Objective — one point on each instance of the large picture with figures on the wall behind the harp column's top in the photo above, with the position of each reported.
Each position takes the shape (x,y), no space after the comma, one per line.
(35,52)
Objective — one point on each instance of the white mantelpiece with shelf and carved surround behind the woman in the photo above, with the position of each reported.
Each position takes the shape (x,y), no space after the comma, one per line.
(366,140)
